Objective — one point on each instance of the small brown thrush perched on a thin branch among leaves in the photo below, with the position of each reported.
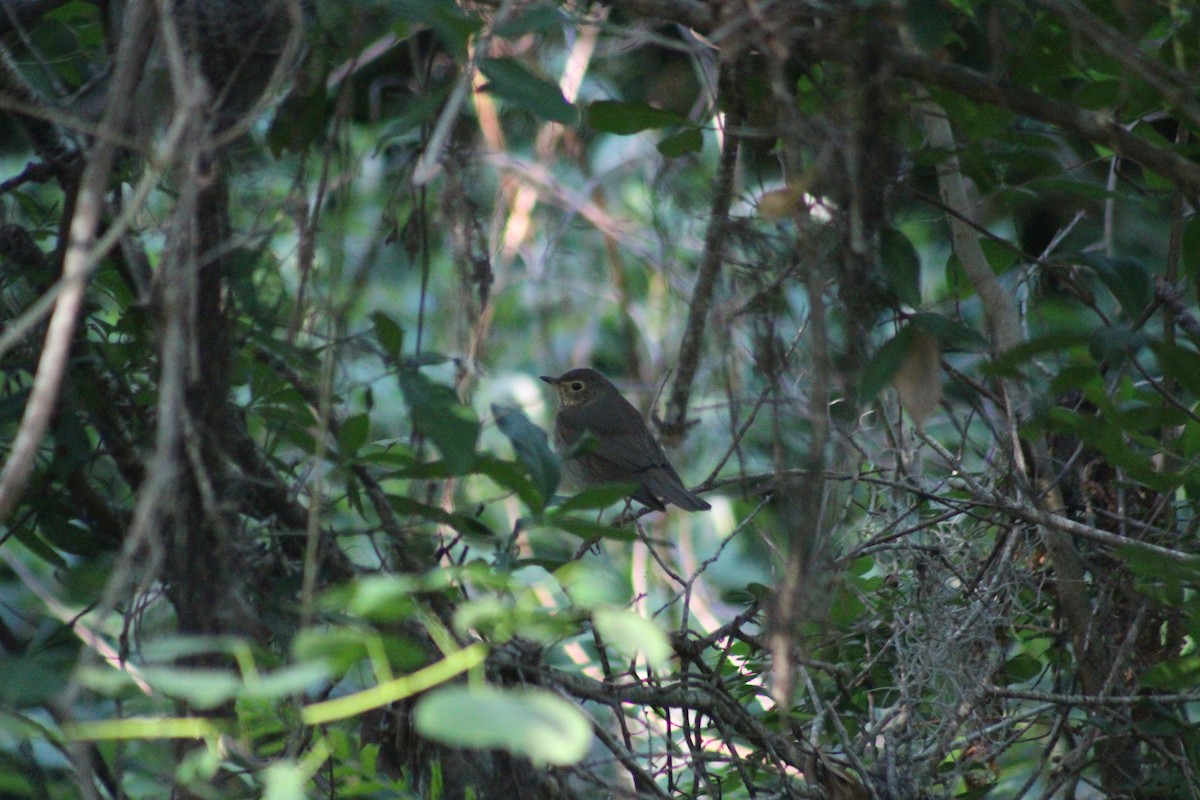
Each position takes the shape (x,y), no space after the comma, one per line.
(620,450)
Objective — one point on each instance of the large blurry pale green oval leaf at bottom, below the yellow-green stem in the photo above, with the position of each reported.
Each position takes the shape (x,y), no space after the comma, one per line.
(536,724)
